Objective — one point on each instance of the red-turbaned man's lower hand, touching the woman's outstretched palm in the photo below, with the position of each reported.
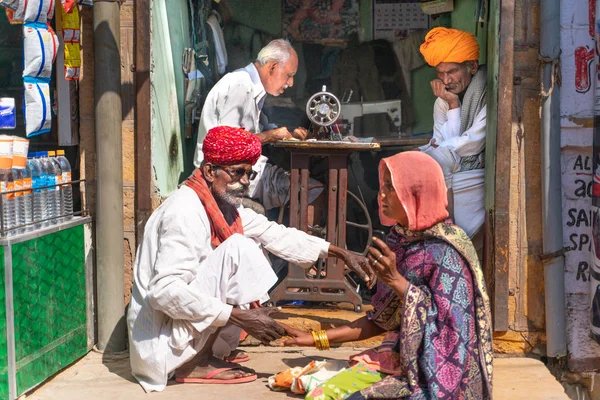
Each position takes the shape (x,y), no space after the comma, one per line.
(258,323)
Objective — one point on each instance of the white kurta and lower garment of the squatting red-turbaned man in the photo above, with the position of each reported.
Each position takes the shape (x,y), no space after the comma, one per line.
(184,289)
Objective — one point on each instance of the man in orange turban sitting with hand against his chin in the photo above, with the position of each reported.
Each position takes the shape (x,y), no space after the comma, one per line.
(459,121)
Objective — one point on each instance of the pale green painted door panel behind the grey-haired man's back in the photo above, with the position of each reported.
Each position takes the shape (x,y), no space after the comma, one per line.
(170,35)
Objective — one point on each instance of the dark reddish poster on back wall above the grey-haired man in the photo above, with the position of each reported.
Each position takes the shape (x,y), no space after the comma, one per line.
(320,21)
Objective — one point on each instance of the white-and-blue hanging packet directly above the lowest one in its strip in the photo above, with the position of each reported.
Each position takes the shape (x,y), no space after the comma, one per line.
(40,45)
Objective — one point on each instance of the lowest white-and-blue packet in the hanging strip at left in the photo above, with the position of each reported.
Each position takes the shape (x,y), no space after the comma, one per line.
(38,115)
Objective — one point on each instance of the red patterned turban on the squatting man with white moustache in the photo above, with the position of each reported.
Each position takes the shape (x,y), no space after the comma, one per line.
(224,145)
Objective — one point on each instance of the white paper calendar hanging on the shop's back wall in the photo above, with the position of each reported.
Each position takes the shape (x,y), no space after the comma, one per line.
(393,19)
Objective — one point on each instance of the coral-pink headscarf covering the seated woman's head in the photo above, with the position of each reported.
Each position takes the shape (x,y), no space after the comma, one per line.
(419,183)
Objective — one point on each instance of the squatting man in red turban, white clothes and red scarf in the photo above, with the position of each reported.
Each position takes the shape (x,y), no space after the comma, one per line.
(201,264)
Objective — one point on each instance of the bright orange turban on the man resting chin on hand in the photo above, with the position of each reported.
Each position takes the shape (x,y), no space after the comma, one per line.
(449,45)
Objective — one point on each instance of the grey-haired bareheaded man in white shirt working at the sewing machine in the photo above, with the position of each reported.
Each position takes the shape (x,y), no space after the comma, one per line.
(237,100)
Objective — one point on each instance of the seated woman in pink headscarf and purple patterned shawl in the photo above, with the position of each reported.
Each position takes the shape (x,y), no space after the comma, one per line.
(431,300)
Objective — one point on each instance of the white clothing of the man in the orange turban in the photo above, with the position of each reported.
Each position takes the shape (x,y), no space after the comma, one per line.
(468,186)
